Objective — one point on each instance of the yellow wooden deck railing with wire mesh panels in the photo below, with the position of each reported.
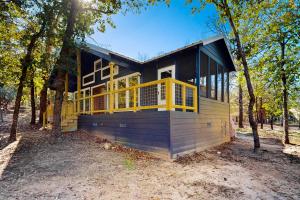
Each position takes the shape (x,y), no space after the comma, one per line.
(164,94)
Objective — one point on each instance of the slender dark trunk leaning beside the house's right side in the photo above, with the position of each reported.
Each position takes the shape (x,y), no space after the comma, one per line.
(241,52)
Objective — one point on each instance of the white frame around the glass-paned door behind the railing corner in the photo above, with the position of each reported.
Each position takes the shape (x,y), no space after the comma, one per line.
(159,71)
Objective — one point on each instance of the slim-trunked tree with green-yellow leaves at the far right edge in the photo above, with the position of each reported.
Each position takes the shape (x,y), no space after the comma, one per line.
(280,40)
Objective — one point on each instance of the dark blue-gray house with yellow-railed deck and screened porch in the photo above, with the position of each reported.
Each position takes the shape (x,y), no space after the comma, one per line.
(171,104)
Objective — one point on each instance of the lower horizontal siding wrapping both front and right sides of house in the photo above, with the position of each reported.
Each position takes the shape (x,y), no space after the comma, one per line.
(165,133)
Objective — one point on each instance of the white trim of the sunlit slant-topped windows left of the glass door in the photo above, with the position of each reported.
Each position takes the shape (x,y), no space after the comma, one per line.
(127,92)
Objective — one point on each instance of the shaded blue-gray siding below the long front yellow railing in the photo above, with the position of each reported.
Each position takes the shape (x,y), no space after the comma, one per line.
(149,131)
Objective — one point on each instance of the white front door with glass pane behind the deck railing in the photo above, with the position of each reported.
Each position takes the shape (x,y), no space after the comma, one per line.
(166,72)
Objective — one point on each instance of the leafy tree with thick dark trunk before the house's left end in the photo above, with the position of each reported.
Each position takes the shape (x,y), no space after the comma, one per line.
(80,18)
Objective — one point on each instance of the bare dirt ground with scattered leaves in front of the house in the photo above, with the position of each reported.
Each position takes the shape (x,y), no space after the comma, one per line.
(79,167)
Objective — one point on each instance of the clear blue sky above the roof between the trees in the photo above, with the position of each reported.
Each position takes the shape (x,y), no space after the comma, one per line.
(155,30)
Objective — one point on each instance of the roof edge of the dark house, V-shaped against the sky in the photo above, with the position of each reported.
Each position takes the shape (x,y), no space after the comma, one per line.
(92,47)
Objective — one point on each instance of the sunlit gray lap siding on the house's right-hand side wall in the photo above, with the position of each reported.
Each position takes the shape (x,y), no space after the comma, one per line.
(192,131)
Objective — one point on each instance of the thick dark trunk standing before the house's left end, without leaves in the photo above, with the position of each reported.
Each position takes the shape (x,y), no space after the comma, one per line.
(61,65)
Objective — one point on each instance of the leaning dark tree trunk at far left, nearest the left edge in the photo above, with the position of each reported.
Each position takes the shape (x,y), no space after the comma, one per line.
(26,62)
